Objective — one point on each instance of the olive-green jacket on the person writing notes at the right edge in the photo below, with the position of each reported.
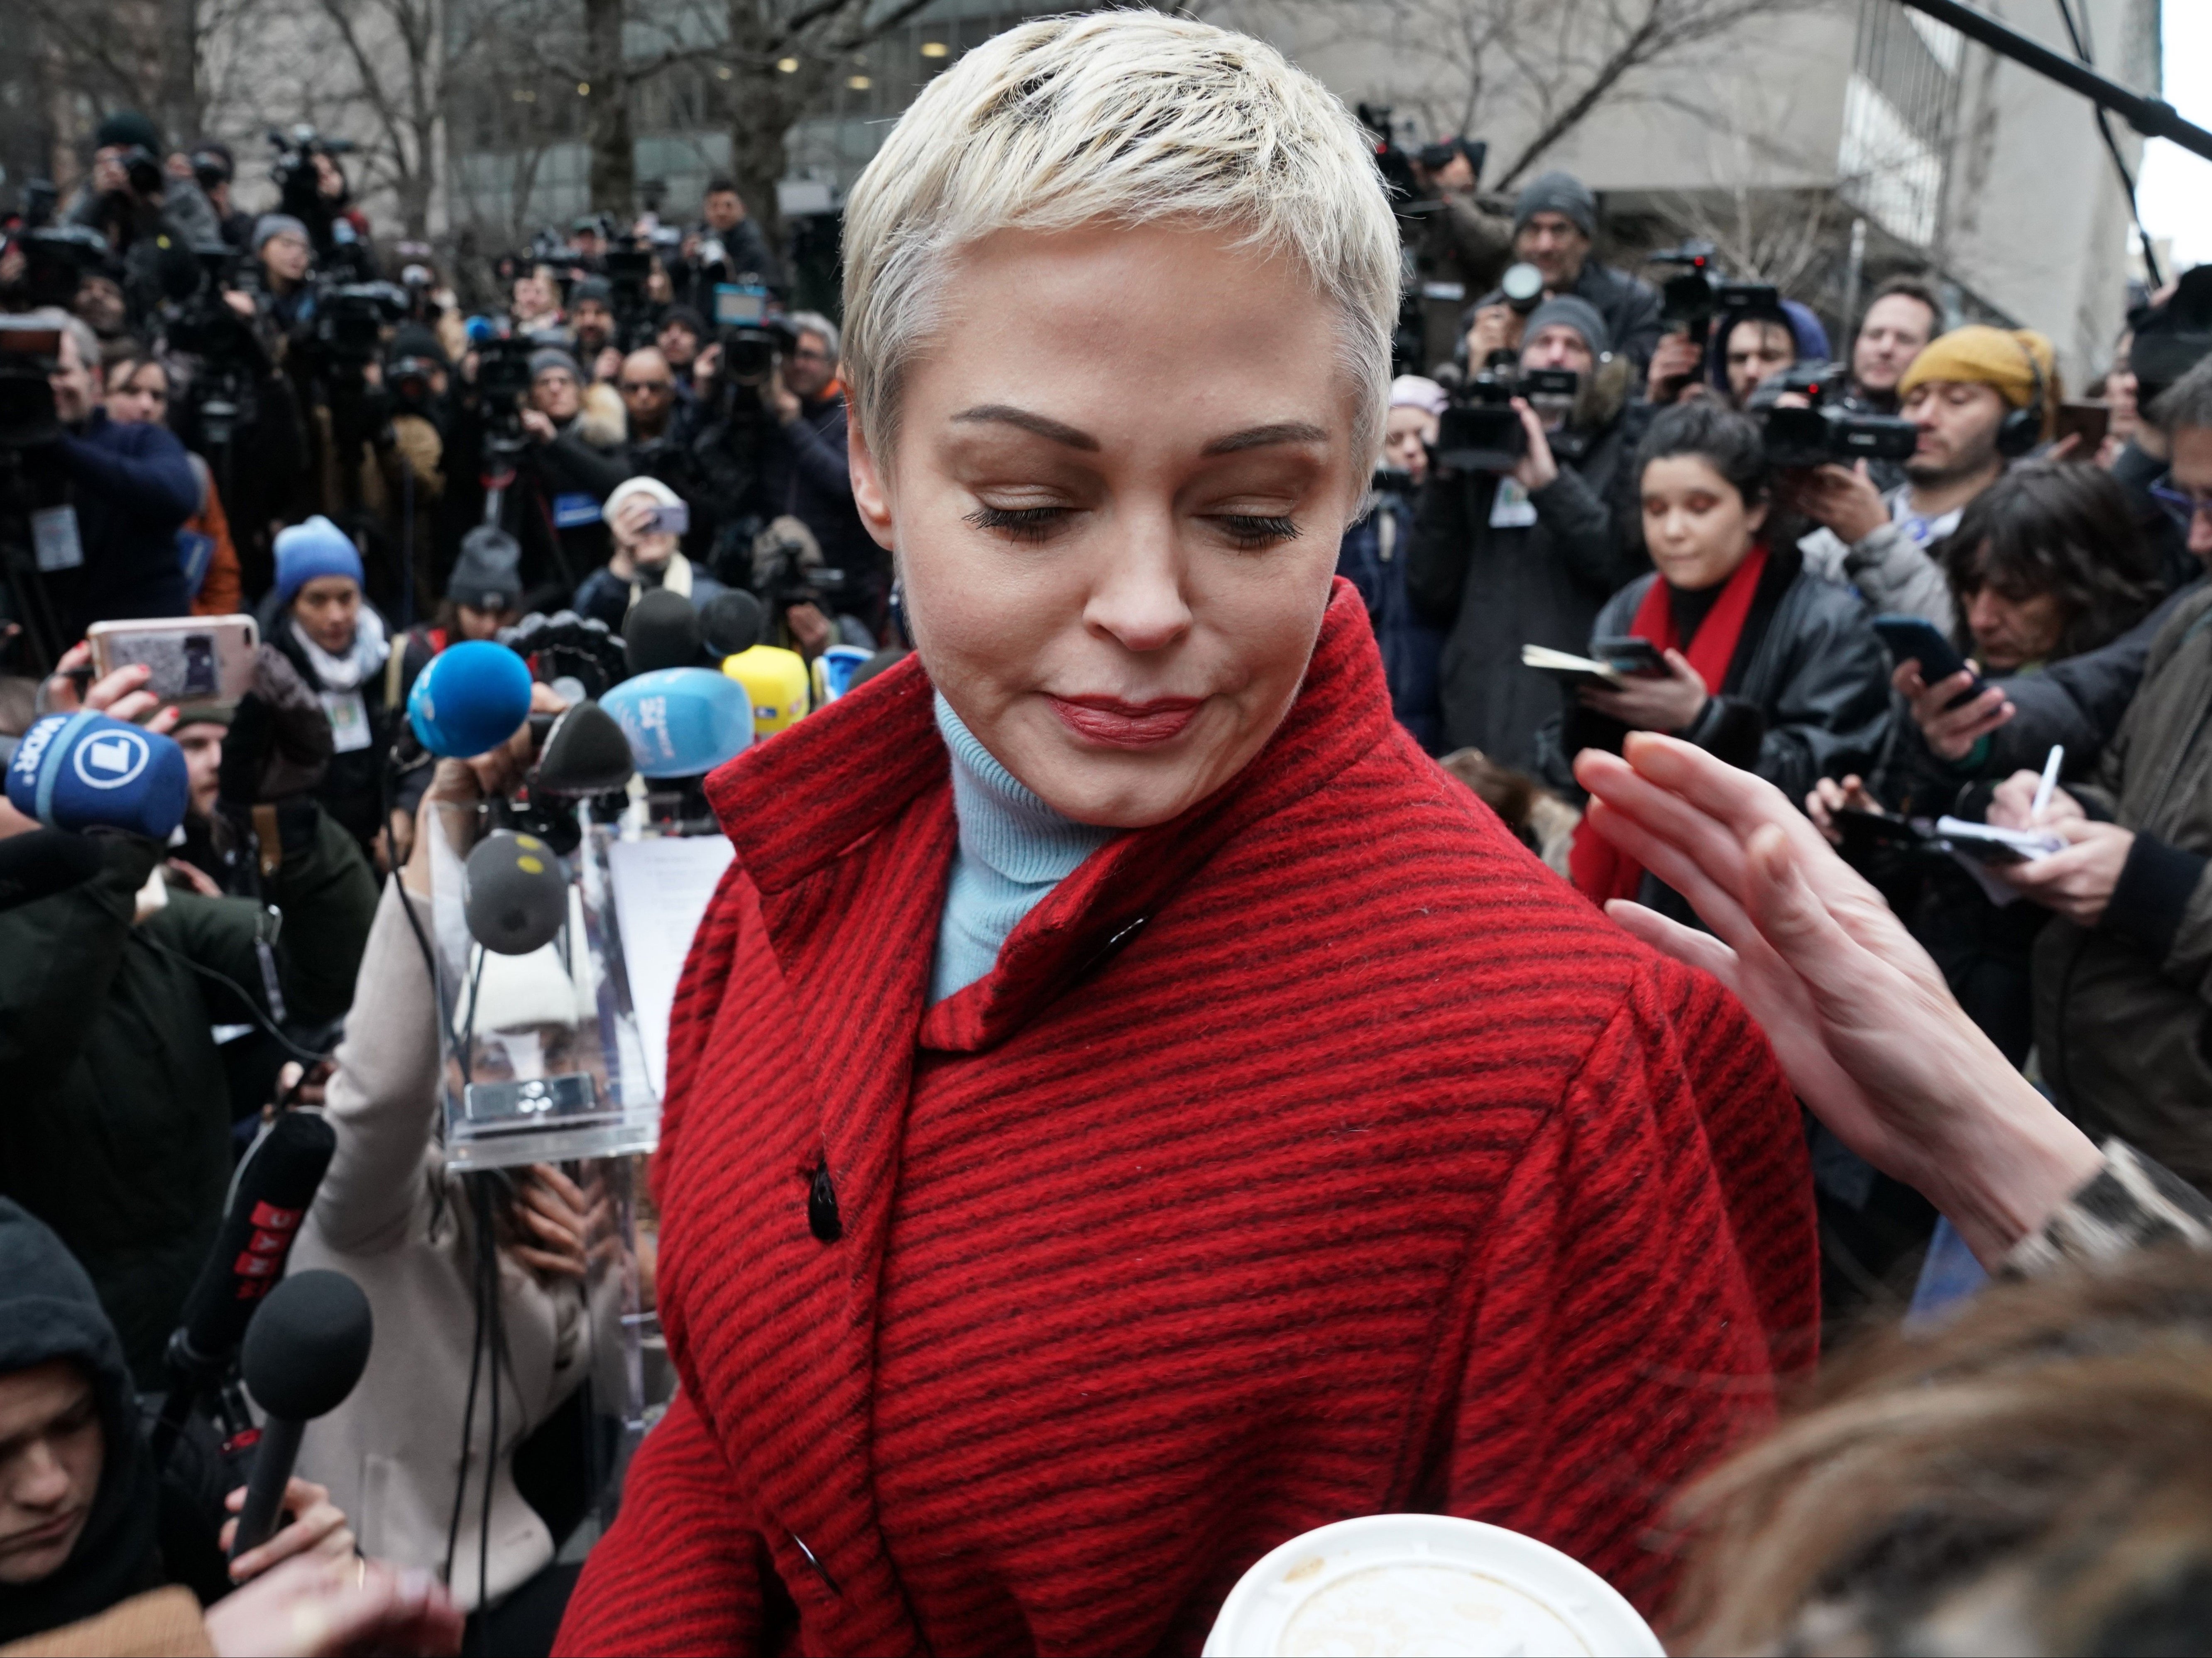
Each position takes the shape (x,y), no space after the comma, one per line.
(2125,1009)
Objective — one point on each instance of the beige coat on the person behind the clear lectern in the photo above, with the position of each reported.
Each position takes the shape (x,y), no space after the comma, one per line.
(393,1221)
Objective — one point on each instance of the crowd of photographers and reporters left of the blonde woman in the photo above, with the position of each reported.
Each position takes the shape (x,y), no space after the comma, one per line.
(216,412)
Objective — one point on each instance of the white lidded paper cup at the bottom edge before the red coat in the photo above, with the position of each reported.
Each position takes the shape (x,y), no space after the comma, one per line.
(1423,1584)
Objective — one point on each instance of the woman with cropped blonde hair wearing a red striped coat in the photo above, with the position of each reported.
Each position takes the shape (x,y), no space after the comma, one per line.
(1127,1106)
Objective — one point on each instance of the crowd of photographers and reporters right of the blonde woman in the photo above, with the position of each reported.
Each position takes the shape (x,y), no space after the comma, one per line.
(1899,585)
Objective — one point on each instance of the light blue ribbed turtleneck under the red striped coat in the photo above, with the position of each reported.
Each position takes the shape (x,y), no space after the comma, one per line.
(1014,850)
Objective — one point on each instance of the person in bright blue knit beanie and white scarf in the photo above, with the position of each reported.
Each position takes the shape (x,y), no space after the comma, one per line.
(340,644)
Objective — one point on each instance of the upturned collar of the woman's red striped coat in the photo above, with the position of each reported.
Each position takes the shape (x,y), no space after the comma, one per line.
(817,793)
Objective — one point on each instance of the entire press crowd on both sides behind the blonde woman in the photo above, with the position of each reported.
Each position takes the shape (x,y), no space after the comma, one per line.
(1917,589)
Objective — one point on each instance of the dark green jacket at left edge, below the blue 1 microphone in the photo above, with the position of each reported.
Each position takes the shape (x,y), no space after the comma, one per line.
(114,1109)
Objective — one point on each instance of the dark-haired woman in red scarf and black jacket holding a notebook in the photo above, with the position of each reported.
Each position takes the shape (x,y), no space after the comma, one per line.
(1766,667)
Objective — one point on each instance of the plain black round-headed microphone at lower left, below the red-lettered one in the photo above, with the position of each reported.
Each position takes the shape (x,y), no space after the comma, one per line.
(304,1354)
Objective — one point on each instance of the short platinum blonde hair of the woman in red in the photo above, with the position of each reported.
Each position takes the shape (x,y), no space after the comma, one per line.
(1123,118)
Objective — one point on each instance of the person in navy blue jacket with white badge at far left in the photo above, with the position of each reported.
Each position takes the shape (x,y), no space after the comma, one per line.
(109,549)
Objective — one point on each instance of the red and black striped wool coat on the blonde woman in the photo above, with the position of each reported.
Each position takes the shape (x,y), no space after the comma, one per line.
(1313,1155)
